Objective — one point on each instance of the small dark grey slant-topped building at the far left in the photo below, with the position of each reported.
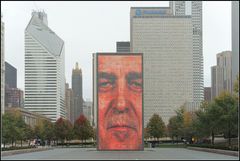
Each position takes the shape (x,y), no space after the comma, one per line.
(10,76)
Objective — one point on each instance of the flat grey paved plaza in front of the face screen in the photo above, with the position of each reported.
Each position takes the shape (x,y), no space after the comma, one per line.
(92,153)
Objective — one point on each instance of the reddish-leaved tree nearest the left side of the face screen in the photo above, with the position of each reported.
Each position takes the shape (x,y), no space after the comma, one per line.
(82,128)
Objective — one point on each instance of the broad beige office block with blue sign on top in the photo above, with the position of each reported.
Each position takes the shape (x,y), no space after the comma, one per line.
(166,43)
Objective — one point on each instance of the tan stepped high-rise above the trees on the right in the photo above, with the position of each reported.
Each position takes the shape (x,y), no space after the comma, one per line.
(222,74)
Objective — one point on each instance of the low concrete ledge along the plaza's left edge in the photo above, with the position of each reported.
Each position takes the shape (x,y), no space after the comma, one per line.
(13,152)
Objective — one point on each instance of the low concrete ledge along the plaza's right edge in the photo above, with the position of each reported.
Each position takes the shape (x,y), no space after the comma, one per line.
(219,151)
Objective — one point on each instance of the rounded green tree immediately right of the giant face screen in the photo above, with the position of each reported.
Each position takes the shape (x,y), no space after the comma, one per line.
(156,127)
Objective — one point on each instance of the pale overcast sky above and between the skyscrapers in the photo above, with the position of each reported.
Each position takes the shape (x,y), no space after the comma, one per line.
(89,27)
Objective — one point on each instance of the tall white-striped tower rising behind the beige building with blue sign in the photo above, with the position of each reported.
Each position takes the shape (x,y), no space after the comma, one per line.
(193,9)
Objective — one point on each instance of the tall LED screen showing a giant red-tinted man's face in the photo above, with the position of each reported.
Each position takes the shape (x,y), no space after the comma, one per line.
(120,88)
